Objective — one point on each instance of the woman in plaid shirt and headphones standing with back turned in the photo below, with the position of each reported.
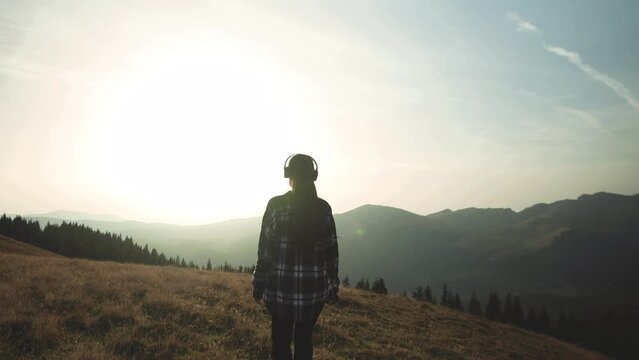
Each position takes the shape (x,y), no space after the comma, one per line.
(297,263)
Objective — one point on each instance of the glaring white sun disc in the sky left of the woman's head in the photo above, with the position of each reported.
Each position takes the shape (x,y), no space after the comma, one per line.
(186,110)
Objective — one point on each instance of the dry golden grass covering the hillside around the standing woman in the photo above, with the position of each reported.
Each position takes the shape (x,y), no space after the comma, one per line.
(59,308)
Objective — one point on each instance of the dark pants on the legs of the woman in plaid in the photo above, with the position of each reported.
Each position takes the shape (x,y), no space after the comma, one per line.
(283,331)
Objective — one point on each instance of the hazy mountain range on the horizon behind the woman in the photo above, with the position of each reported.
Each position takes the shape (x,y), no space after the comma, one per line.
(582,248)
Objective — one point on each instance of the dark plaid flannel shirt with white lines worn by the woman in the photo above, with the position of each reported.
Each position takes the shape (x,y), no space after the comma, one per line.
(295,286)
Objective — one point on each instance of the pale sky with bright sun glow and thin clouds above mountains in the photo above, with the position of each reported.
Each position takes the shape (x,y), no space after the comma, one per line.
(184,112)
